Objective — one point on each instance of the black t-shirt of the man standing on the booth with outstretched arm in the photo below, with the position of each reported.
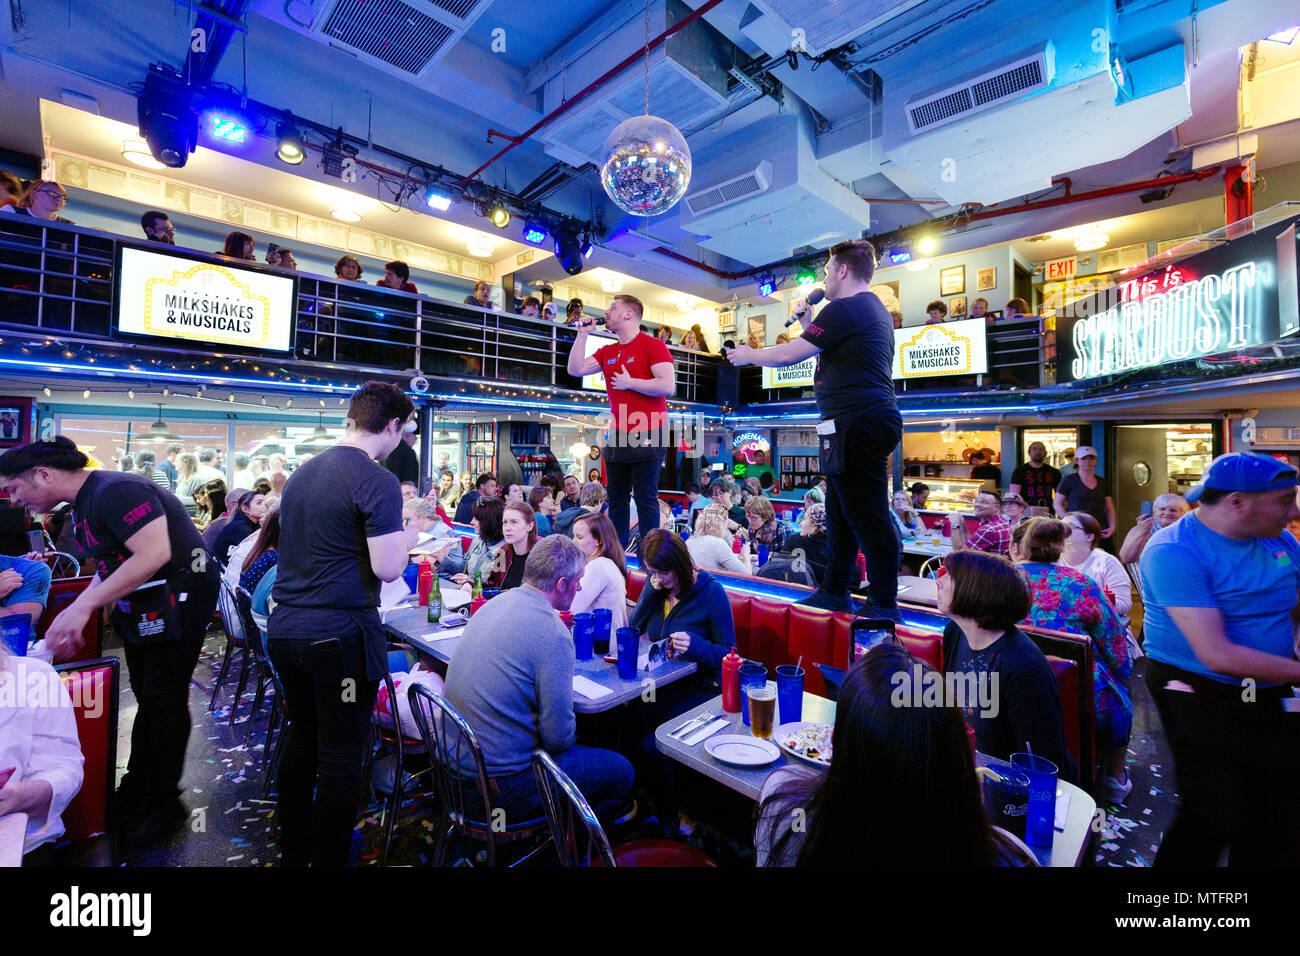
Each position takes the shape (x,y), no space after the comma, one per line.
(855,371)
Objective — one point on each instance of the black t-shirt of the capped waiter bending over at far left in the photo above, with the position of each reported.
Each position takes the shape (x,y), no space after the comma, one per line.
(112,507)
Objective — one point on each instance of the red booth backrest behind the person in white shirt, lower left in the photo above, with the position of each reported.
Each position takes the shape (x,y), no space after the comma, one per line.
(94,690)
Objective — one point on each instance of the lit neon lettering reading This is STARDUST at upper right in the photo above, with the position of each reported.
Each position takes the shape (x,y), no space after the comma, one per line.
(1160,322)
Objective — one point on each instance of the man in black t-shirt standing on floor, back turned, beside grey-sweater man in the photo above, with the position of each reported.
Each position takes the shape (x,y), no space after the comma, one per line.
(341,534)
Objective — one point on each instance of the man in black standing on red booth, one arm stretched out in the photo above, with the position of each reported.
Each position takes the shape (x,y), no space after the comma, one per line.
(853,340)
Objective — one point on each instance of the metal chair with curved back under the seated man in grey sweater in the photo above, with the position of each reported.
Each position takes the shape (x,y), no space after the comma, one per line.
(452,746)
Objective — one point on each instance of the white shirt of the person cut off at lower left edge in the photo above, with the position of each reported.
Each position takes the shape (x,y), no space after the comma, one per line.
(38,738)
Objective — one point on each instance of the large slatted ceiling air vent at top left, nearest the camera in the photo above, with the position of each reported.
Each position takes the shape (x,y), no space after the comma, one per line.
(402,37)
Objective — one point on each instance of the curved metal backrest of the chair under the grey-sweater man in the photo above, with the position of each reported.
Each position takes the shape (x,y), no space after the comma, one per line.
(452,743)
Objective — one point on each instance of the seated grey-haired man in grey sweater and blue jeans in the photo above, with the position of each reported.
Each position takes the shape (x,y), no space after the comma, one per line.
(513,681)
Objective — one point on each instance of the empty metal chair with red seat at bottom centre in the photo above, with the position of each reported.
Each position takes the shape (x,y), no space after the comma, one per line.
(566,808)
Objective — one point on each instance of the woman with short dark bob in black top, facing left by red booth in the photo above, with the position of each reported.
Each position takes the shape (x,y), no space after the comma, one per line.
(1011,695)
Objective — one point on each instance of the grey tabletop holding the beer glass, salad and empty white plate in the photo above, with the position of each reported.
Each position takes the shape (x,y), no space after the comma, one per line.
(1068,846)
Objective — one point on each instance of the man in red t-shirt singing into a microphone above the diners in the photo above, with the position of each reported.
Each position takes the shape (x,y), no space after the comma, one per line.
(639,378)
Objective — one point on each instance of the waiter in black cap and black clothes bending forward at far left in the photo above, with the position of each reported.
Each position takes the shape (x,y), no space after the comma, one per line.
(154,573)
